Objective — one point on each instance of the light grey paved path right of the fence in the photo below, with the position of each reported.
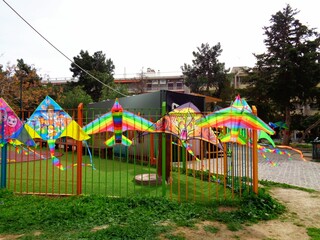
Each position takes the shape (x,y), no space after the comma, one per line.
(295,172)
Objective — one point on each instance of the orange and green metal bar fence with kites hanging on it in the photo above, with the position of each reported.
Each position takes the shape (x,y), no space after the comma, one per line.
(156,164)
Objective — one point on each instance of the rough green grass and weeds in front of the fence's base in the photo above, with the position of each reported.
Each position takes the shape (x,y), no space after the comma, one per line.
(120,218)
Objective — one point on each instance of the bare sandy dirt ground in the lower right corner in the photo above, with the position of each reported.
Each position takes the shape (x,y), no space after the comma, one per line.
(303,211)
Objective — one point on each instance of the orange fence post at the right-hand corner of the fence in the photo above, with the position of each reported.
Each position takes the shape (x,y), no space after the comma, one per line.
(255,156)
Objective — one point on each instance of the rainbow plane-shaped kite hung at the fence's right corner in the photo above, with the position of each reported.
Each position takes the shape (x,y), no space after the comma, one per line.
(236,117)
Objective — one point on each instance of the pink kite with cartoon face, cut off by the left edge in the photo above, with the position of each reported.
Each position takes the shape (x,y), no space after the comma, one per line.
(12,128)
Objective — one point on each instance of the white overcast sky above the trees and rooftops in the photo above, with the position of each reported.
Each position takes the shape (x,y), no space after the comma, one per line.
(140,34)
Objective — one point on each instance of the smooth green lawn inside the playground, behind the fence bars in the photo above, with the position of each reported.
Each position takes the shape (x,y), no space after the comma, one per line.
(113,177)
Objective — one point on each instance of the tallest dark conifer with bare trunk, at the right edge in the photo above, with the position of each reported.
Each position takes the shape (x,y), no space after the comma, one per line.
(288,72)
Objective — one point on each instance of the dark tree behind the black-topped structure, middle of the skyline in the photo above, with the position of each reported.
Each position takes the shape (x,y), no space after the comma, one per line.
(206,72)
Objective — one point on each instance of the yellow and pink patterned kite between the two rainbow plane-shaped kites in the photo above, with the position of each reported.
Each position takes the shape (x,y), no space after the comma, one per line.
(180,122)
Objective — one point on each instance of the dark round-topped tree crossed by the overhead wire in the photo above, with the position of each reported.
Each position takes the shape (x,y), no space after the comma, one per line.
(98,66)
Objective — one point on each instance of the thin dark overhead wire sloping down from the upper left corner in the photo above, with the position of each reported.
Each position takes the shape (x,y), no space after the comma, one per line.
(61,51)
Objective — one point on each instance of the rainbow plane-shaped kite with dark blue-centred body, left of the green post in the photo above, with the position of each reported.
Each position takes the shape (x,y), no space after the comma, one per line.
(118,121)
